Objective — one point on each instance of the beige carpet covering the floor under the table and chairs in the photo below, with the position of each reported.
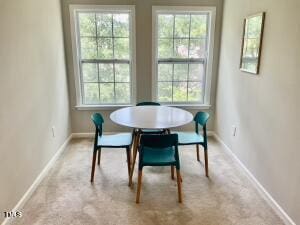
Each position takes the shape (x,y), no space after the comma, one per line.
(67,197)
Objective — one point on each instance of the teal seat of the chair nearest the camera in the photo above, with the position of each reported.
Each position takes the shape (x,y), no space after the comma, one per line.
(158,157)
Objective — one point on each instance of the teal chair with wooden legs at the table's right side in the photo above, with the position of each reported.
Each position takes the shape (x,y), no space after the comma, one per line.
(196,138)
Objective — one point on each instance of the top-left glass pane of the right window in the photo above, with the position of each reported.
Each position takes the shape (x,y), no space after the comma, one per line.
(165,26)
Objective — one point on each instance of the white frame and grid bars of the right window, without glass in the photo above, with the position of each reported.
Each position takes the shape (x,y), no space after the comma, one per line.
(206,61)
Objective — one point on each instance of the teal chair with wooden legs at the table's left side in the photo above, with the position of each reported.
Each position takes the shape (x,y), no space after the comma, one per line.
(122,140)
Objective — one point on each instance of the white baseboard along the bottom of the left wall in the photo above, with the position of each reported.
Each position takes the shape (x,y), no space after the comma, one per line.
(39,179)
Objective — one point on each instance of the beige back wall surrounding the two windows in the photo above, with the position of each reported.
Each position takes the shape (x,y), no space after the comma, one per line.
(81,121)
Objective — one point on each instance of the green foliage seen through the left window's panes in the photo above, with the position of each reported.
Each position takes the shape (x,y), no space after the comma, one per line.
(105,57)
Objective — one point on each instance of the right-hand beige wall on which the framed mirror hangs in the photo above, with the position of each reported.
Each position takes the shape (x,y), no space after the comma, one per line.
(265,107)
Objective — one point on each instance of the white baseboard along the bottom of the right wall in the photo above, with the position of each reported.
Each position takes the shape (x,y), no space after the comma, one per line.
(263,192)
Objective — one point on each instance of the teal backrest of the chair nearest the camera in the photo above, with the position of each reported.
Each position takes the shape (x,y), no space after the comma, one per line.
(159,142)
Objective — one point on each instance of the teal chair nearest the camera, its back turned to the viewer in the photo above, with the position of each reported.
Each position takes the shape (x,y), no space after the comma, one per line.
(158,150)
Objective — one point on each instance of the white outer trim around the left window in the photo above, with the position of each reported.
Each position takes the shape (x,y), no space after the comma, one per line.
(74,9)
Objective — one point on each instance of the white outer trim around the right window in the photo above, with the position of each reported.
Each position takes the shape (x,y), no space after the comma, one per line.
(183,9)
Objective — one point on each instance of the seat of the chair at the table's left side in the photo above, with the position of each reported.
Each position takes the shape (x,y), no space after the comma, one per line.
(115,140)
